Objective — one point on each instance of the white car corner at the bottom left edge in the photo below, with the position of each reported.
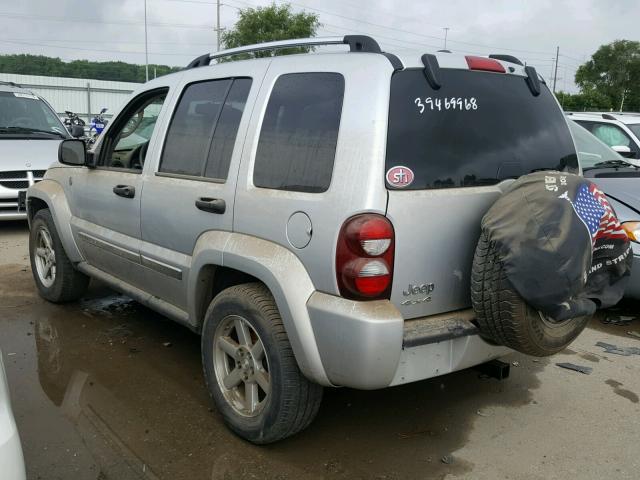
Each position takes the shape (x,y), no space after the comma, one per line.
(11,459)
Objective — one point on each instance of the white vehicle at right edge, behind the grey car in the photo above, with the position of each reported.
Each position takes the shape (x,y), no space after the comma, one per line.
(620,131)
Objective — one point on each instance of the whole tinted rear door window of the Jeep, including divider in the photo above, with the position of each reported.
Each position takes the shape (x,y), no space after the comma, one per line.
(203,129)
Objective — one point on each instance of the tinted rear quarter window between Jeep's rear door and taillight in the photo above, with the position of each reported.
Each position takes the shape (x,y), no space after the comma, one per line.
(299,133)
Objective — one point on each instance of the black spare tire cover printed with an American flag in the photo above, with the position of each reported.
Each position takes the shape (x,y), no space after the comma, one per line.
(561,245)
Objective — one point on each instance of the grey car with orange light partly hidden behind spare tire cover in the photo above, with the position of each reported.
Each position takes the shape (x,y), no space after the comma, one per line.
(619,179)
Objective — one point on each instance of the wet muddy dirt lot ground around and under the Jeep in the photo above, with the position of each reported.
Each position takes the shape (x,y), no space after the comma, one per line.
(107,389)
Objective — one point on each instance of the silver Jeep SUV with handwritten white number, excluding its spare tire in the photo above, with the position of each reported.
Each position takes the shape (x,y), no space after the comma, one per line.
(312,216)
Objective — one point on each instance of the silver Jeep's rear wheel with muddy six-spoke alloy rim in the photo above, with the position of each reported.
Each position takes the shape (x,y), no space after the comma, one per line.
(250,368)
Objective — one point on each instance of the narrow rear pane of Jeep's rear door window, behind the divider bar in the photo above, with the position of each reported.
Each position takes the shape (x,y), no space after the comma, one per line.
(224,137)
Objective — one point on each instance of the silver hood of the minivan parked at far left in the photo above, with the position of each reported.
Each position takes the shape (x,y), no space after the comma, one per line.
(19,154)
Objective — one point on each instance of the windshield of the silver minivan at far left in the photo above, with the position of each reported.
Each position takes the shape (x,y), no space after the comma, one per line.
(24,115)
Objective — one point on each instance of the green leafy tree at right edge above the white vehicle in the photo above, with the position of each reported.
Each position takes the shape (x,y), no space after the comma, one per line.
(613,71)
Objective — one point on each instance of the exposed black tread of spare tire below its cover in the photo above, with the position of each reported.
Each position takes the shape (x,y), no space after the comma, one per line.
(505,318)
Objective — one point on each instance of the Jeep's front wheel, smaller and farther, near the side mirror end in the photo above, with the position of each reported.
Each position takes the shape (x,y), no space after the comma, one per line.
(56,278)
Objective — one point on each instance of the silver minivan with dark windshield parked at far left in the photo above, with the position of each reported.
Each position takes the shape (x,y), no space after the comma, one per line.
(30,133)
